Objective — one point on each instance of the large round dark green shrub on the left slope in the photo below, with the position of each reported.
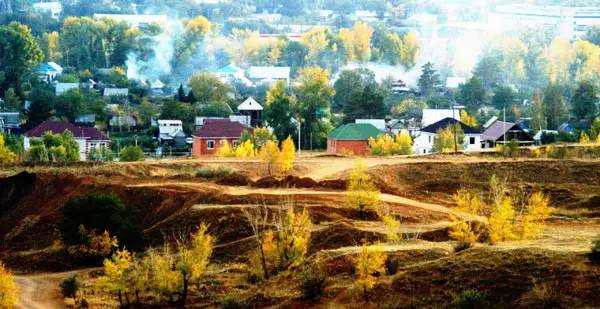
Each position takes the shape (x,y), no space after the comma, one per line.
(98,213)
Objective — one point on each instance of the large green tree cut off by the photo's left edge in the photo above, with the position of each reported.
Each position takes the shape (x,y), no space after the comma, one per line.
(19,53)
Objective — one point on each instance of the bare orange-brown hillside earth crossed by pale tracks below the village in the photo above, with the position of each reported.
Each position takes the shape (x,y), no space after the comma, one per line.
(167,197)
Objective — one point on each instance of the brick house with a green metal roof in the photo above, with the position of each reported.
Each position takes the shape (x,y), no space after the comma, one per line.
(351,138)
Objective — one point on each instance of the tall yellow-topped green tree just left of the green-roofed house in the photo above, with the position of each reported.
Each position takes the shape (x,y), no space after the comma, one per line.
(314,98)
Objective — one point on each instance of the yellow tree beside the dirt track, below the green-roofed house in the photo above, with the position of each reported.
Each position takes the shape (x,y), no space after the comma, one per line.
(362,192)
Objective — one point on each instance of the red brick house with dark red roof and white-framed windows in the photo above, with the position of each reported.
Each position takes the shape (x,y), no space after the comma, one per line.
(215,133)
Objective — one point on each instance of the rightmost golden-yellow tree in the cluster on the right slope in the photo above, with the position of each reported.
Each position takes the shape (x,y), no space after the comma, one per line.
(536,212)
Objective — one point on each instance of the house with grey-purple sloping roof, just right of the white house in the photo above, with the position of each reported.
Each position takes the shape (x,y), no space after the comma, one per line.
(499,132)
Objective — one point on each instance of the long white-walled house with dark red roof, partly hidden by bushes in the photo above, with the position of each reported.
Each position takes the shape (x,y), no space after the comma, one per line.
(87,138)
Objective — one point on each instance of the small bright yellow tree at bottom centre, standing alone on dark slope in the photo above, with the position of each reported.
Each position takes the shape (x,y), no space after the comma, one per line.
(370,261)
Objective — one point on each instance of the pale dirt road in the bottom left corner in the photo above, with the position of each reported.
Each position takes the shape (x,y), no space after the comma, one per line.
(41,291)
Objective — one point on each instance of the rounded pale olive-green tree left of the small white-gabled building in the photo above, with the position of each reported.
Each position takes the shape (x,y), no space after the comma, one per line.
(208,88)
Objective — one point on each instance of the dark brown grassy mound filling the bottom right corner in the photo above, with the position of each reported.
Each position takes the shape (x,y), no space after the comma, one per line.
(503,275)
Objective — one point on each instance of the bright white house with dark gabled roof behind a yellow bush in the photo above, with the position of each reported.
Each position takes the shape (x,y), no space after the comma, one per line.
(425,137)
